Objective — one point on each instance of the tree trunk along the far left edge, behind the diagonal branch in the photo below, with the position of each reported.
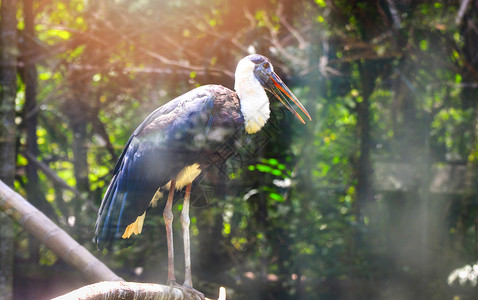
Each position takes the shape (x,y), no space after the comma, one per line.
(8,91)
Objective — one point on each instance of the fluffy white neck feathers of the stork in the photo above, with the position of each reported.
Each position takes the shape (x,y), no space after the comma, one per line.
(252,96)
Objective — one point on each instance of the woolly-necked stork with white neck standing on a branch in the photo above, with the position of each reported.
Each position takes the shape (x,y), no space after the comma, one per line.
(180,140)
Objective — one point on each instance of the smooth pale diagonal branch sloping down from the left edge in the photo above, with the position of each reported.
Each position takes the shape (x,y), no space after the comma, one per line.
(36,223)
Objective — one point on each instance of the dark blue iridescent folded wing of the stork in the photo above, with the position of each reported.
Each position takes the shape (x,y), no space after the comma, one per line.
(169,139)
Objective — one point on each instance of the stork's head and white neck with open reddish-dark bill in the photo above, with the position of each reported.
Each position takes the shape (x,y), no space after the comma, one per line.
(254,75)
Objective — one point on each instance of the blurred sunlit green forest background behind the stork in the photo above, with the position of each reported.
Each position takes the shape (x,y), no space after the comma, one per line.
(375,199)
